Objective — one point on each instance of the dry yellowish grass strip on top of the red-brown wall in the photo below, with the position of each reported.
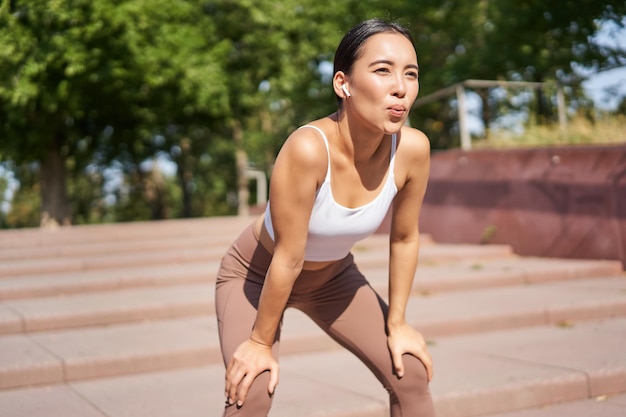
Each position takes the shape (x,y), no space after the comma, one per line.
(605,130)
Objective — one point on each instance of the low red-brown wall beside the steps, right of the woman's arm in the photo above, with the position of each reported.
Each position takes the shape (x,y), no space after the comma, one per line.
(556,202)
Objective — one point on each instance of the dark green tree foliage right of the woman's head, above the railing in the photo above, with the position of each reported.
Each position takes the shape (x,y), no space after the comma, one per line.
(530,40)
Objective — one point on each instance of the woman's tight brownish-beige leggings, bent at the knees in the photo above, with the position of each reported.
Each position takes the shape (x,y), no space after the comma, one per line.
(339,299)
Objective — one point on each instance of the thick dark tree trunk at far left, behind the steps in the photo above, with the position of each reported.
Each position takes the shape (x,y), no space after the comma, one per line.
(55,208)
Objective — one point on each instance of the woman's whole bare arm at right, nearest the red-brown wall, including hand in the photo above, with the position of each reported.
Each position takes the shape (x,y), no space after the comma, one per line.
(404,248)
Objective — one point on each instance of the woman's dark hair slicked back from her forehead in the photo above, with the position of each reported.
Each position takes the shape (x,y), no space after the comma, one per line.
(351,46)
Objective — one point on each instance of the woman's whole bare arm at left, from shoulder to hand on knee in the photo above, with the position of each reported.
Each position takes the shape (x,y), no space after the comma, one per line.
(292,193)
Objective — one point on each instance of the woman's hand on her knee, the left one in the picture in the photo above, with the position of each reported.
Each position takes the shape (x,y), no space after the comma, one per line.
(249,360)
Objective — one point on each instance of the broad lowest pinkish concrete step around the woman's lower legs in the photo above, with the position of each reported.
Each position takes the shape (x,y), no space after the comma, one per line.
(536,369)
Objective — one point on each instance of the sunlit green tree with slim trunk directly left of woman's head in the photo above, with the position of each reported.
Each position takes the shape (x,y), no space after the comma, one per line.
(275,70)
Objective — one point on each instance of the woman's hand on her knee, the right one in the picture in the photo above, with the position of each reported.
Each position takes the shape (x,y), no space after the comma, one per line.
(405,339)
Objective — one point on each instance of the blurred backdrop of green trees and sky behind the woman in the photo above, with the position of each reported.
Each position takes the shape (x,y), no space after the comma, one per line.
(126,110)
